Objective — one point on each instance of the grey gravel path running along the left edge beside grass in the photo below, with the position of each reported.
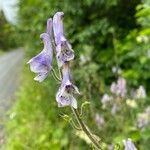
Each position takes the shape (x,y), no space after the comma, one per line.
(10,66)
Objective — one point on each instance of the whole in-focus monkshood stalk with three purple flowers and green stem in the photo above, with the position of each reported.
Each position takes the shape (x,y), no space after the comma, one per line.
(55,41)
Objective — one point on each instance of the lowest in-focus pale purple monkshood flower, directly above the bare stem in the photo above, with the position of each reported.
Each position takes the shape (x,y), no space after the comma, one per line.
(65,94)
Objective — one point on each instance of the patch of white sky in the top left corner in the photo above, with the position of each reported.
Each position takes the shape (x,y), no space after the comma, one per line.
(10,10)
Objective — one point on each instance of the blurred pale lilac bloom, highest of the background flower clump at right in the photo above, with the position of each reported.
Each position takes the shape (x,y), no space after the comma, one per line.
(119,88)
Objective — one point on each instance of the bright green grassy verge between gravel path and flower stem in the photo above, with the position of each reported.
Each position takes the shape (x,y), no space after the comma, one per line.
(35,121)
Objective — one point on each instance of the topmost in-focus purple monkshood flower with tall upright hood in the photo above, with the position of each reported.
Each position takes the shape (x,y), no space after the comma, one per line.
(64,51)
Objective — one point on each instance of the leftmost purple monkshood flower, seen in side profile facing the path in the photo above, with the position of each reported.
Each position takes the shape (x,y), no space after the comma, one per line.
(41,64)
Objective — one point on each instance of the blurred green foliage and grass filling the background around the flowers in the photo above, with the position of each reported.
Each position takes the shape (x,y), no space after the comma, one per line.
(106,36)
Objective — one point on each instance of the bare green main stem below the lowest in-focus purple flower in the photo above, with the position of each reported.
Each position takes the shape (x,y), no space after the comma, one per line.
(84,128)
